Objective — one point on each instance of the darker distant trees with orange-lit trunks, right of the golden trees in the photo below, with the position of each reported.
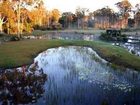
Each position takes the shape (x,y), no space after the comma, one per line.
(128,16)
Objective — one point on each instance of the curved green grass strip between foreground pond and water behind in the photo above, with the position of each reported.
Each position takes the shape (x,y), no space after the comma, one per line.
(13,54)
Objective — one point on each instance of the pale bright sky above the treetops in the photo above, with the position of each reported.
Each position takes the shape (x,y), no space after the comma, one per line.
(92,5)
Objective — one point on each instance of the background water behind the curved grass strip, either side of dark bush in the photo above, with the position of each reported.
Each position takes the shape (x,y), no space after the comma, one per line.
(132,45)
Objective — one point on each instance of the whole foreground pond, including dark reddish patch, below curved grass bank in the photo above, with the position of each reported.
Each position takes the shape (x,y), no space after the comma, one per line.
(73,76)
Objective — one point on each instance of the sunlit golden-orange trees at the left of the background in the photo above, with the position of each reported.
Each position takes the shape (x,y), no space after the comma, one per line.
(21,16)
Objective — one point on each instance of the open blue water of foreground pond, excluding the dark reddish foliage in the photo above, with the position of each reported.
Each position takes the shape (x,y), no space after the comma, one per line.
(78,76)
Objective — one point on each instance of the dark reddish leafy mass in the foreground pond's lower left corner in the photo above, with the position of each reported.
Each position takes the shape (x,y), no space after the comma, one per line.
(21,86)
